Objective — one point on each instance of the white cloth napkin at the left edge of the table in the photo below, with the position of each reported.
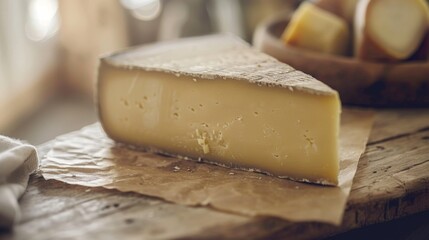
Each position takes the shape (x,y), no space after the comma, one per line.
(17,162)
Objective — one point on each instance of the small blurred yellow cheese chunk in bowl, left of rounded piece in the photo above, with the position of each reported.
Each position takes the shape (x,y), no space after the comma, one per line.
(318,30)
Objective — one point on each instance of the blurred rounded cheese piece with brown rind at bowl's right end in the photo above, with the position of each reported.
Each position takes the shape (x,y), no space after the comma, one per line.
(389,30)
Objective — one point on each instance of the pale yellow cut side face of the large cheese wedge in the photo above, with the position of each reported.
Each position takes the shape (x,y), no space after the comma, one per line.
(278,130)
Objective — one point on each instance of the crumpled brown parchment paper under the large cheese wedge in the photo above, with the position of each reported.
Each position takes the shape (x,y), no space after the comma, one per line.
(89,158)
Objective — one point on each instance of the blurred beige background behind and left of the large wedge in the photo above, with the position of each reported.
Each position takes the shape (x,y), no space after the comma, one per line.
(49,50)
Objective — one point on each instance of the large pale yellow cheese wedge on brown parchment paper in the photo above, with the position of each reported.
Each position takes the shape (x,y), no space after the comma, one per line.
(217,100)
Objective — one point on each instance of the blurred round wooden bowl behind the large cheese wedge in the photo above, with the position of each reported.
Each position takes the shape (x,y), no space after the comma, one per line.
(361,83)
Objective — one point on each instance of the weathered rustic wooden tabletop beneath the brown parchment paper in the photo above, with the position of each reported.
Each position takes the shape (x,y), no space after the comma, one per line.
(392,182)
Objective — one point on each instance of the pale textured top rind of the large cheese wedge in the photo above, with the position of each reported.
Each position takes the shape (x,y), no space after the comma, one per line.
(216,56)
